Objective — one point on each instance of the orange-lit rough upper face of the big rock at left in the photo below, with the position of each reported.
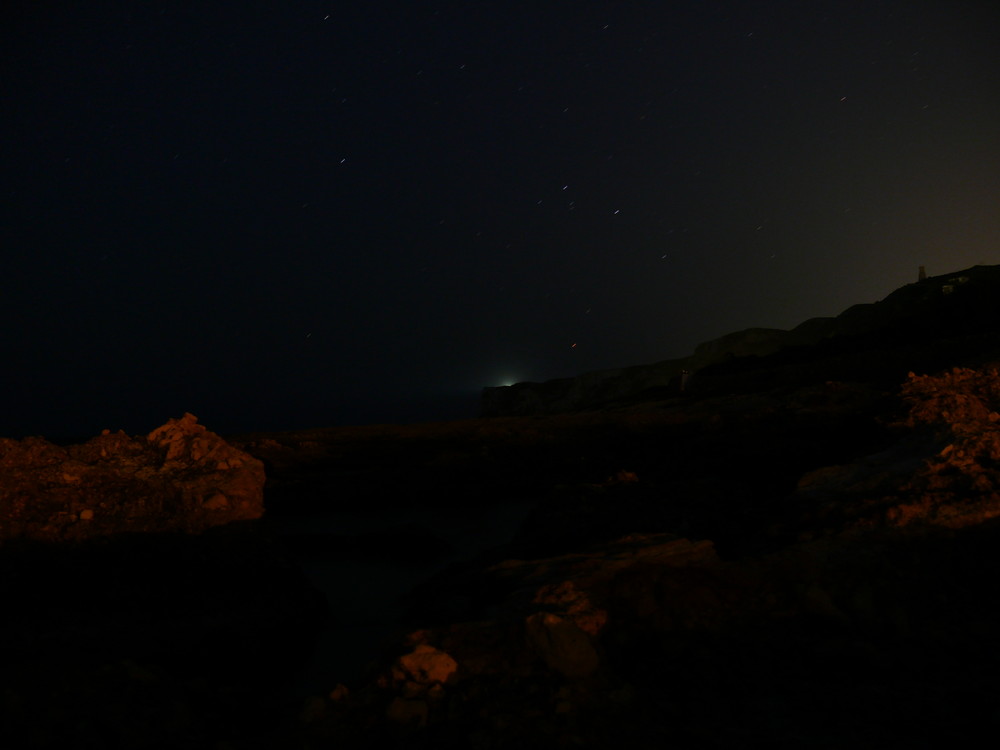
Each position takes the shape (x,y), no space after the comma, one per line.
(179,477)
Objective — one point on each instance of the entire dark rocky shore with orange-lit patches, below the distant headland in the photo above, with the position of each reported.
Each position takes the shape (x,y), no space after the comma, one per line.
(801,550)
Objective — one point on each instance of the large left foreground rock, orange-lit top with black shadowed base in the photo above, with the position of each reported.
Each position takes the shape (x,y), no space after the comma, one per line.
(144,603)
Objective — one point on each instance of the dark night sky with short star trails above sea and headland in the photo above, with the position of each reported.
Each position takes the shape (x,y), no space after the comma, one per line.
(302,214)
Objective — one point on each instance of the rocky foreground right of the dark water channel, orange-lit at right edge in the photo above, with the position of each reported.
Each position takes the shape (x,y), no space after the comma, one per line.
(866,620)
